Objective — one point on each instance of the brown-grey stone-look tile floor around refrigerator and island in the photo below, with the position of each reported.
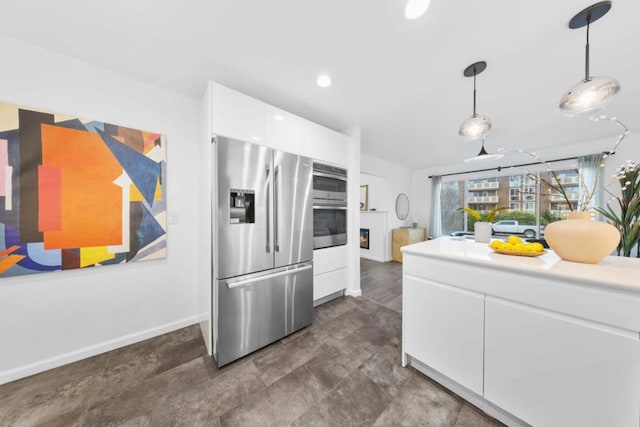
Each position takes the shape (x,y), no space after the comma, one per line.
(344,370)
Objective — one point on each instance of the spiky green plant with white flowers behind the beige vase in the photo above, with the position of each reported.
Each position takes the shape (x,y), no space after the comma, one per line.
(627,220)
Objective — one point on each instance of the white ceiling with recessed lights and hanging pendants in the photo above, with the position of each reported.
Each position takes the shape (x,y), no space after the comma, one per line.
(401,81)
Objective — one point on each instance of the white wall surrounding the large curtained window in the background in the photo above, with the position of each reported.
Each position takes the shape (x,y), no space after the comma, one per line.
(628,150)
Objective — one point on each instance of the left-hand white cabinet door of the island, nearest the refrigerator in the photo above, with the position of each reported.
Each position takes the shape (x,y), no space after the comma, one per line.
(443,328)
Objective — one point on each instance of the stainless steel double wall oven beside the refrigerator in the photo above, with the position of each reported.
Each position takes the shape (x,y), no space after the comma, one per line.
(329,206)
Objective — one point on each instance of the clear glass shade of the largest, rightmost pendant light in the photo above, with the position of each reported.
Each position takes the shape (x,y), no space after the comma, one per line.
(589,96)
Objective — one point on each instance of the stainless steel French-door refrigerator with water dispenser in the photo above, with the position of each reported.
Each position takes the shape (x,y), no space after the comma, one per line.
(263,237)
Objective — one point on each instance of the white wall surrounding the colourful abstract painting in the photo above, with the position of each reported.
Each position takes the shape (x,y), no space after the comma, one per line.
(50,319)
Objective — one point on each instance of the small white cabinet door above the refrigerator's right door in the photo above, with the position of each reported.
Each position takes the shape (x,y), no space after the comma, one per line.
(283,130)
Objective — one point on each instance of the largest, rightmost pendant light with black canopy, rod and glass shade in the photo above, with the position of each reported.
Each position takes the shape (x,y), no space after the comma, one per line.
(592,93)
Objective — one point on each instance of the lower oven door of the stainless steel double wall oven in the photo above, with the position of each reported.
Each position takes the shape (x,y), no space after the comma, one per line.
(329,226)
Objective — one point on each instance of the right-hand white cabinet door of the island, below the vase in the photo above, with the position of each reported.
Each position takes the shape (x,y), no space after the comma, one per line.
(552,370)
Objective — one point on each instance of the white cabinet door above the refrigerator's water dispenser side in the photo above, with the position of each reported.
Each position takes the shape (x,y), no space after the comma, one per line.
(236,115)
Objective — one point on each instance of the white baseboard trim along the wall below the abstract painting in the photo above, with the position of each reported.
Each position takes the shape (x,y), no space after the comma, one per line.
(83,353)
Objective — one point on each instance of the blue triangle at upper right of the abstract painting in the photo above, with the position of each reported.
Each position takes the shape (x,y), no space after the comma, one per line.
(142,170)
